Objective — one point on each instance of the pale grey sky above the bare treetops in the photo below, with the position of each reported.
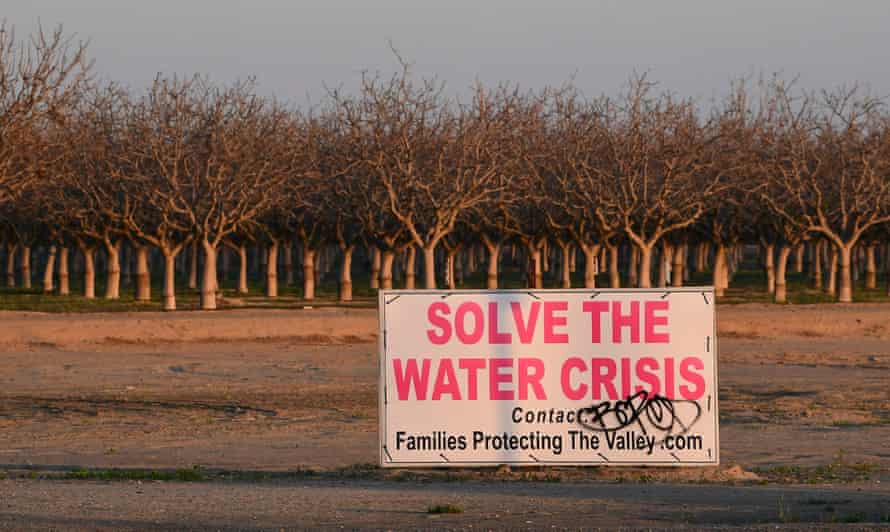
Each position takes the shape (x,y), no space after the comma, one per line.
(293,48)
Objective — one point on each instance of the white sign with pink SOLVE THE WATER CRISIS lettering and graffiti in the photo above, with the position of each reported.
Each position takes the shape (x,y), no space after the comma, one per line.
(537,377)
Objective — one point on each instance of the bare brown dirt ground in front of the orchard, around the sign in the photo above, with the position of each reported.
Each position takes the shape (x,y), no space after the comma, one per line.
(275,413)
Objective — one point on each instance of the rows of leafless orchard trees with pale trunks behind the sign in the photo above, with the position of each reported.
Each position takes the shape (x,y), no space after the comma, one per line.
(642,183)
